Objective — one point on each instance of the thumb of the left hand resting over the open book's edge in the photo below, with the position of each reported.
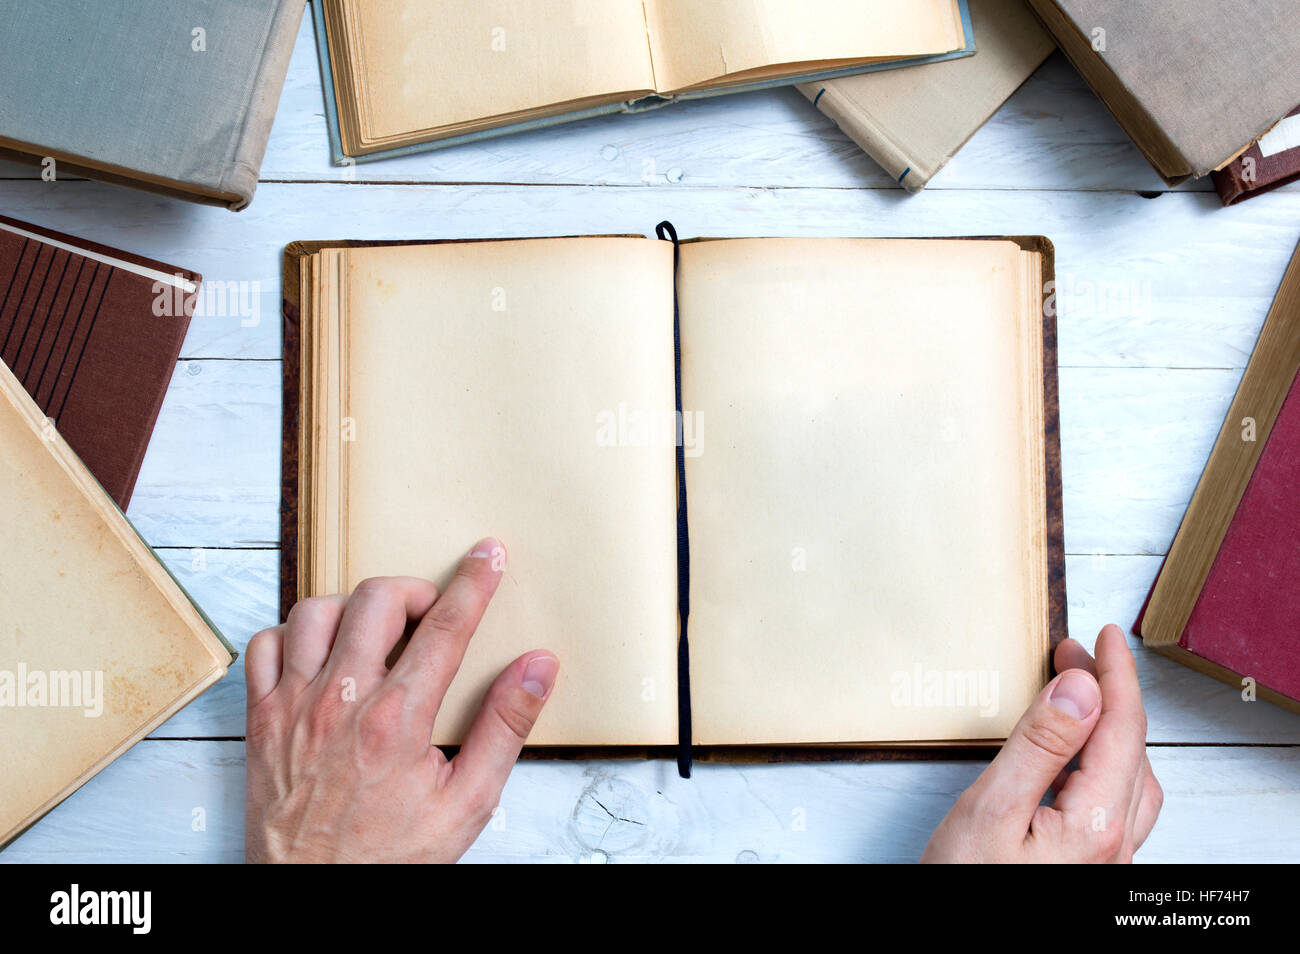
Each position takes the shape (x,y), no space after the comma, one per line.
(499,734)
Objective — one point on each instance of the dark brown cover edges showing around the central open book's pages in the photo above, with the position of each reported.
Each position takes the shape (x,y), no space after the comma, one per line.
(1058,606)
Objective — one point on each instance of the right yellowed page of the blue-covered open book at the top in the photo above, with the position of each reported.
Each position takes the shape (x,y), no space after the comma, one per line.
(697,42)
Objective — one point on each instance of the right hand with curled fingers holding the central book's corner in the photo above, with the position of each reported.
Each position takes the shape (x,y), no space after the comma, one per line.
(1104,809)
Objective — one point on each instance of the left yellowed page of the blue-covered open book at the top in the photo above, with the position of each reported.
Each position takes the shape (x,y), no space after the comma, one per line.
(424,66)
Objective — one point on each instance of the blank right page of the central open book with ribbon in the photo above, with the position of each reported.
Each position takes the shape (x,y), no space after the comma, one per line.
(866,511)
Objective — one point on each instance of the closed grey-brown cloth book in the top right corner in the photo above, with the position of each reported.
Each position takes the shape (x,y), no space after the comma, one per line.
(1194,83)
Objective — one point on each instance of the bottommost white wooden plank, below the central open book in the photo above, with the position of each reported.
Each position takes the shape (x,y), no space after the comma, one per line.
(1221,805)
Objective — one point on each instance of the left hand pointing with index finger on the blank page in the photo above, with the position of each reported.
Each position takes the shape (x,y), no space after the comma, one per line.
(340,764)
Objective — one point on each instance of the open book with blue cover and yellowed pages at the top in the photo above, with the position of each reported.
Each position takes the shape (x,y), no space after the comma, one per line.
(404,76)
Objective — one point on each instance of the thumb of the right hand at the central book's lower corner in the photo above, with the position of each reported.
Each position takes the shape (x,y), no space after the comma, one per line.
(1051,732)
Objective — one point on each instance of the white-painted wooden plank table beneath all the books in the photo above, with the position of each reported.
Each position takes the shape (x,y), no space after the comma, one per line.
(1162,297)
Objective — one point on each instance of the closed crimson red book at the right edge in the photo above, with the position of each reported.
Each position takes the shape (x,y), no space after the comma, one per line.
(1228,600)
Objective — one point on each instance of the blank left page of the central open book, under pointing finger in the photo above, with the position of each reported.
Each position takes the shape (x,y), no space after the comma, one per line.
(479,379)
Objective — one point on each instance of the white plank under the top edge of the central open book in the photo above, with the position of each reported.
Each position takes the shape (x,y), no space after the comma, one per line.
(1169,283)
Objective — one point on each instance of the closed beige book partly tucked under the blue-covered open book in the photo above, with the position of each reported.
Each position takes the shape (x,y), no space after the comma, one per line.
(913,122)
